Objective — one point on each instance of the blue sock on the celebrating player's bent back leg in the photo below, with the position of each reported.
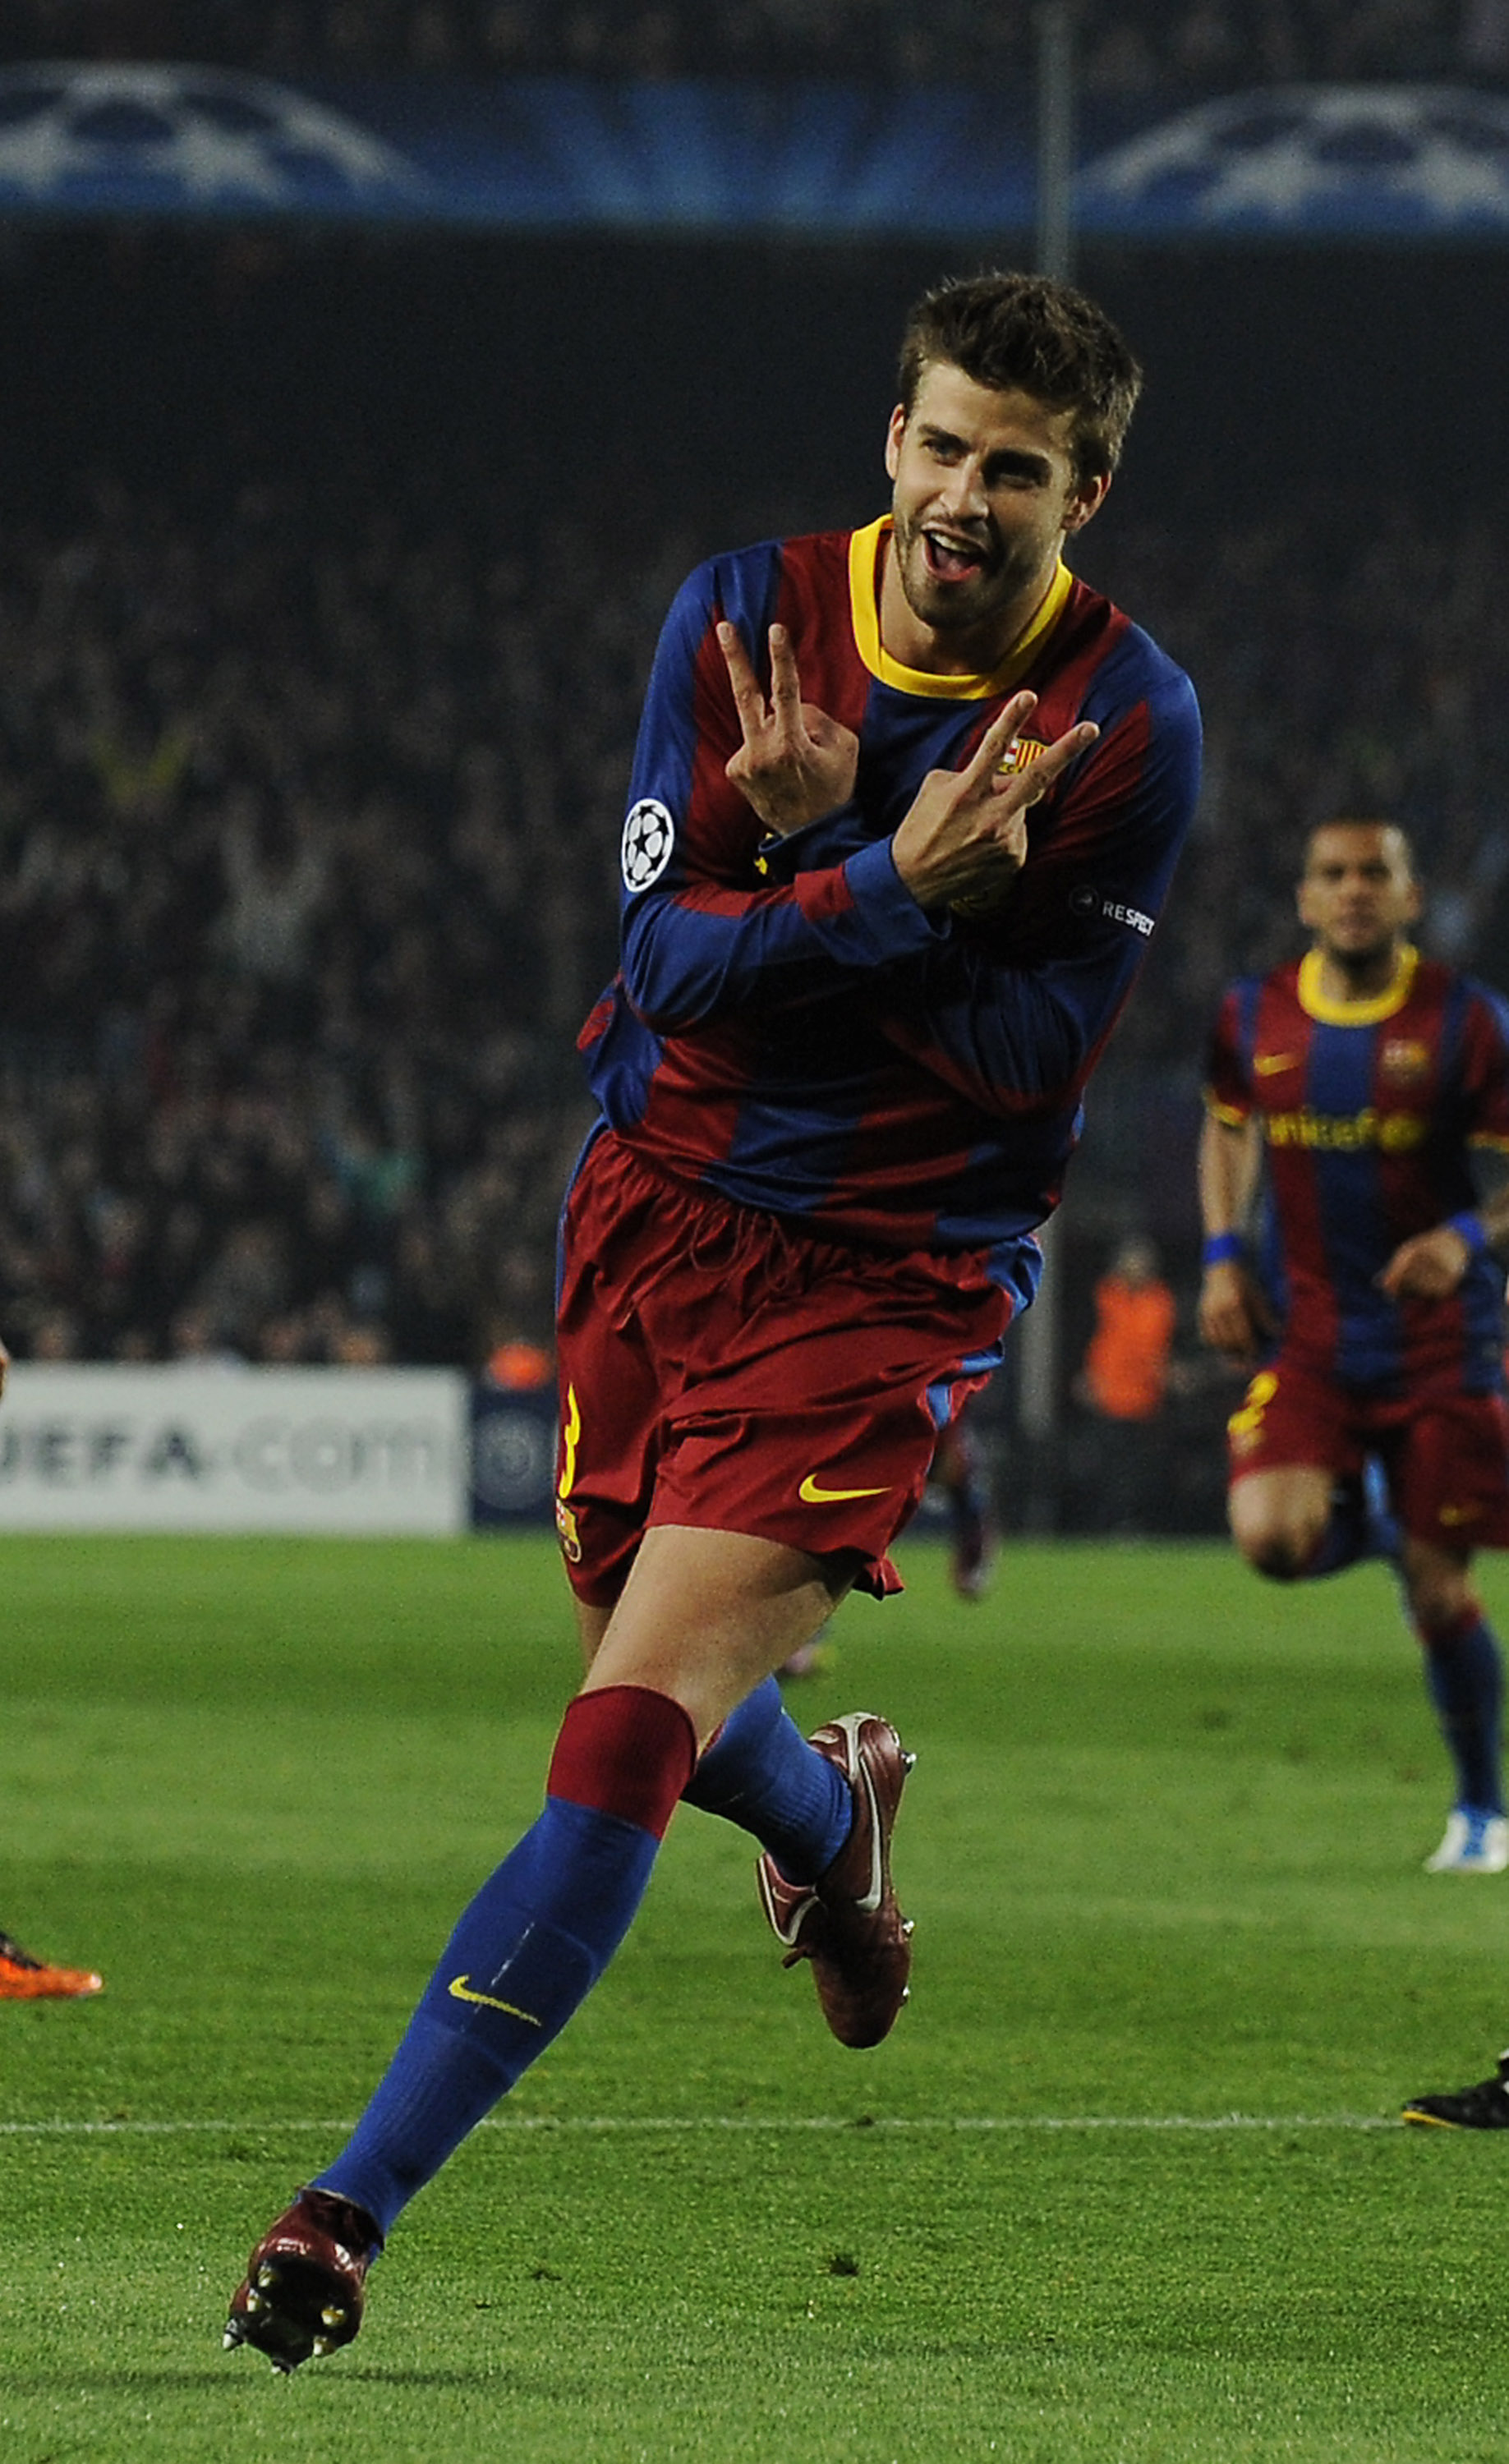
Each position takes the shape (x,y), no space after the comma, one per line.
(773,1783)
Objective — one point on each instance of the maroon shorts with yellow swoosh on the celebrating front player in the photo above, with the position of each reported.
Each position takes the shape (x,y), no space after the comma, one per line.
(729,1371)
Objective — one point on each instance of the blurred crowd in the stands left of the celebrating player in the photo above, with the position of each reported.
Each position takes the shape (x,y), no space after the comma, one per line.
(305,891)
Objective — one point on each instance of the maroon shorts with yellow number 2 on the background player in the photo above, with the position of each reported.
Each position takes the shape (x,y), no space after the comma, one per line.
(1446,1453)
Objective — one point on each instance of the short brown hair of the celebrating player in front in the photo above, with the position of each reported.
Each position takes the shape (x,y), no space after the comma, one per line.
(1039,336)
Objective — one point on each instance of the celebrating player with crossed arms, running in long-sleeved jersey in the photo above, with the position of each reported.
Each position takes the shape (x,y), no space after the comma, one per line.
(904,809)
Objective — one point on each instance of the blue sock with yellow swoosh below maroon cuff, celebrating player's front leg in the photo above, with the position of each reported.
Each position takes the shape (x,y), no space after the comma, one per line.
(524,1955)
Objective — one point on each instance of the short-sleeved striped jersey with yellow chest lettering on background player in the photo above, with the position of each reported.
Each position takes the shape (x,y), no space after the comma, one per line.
(1370,1112)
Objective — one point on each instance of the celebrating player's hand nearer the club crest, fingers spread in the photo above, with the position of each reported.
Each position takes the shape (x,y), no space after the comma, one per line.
(965,832)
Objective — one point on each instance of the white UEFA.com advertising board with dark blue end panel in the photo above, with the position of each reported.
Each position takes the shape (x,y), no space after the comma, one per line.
(245,1450)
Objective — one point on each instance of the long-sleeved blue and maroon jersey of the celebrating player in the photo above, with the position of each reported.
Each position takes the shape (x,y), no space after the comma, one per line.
(788,1024)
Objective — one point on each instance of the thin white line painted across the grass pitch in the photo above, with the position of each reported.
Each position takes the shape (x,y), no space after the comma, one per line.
(632,2125)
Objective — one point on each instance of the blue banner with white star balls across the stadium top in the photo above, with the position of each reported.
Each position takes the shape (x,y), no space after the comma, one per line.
(741,156)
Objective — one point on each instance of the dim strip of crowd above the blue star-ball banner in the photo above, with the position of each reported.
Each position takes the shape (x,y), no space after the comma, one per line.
(1128,48)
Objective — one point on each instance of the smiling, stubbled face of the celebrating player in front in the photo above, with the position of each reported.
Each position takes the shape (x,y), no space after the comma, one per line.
(983,496)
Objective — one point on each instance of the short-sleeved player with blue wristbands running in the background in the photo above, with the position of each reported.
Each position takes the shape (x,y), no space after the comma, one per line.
(1357,1083)
